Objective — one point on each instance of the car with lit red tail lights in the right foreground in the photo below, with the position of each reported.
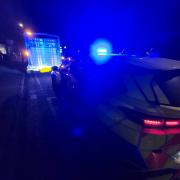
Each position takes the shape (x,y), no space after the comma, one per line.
(147,112)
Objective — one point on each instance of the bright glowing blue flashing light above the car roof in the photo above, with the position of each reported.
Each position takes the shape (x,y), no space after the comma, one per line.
(101,51)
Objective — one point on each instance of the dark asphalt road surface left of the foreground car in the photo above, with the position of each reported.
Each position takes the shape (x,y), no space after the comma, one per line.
(43,138)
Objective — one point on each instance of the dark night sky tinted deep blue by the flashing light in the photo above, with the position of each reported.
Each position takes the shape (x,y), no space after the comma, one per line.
(127,23)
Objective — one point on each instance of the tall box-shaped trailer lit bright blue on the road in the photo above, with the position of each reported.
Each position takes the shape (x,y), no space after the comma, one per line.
(43,51)
